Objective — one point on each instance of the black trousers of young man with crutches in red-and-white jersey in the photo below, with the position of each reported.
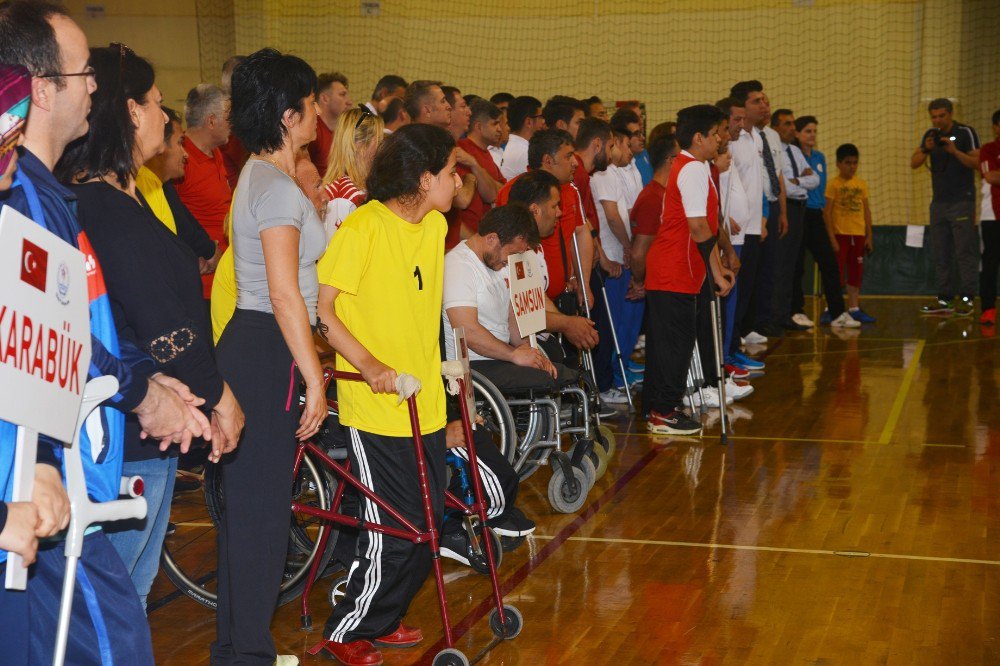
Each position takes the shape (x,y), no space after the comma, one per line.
(669,345)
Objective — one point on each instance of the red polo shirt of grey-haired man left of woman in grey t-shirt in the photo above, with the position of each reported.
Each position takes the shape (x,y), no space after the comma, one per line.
(206,193)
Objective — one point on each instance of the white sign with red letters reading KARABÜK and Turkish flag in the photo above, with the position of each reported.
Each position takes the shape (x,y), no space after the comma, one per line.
(44,328)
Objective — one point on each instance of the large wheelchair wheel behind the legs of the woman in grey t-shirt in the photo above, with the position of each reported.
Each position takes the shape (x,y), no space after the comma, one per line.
(189,555)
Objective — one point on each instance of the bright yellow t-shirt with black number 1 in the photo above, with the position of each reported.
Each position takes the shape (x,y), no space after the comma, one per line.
(390,273)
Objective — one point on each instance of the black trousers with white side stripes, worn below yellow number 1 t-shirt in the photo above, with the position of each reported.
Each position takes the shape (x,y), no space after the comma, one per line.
(388,572)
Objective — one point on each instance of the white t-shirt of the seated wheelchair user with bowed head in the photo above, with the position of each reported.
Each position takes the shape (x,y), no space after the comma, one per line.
(468,282)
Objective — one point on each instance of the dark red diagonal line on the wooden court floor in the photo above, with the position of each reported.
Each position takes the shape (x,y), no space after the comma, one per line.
(507,585)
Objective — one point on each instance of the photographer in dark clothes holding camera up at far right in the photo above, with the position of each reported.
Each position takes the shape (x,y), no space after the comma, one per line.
(953,149)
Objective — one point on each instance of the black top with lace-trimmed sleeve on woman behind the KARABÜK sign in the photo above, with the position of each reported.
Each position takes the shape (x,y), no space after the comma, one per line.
(155,291)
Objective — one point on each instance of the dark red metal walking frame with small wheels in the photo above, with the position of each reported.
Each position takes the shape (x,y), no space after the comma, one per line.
(505,621)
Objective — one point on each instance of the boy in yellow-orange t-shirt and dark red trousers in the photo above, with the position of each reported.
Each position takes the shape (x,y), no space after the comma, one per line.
(848,221)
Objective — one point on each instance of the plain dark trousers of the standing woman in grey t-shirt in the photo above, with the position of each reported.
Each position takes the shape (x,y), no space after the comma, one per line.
(257,487)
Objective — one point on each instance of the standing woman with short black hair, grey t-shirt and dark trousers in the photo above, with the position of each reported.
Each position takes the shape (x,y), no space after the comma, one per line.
(267,347)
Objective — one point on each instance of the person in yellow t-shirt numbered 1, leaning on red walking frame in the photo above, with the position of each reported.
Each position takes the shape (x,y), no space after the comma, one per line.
(380,308)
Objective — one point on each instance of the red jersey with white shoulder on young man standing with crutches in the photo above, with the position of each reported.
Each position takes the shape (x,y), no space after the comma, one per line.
(674,263)
